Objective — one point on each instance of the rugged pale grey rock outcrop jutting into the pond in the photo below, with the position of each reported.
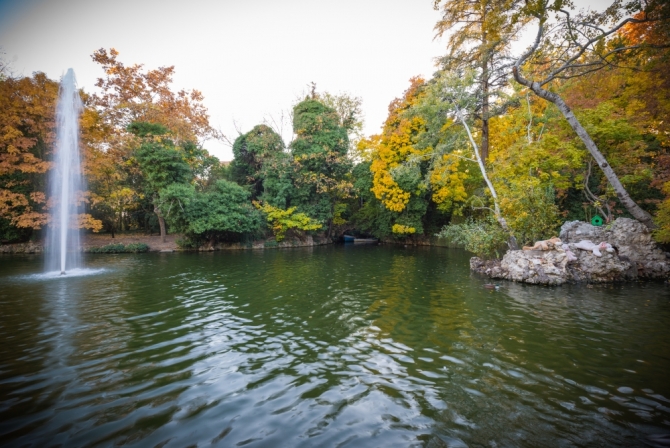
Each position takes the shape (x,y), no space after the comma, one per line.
(623,251)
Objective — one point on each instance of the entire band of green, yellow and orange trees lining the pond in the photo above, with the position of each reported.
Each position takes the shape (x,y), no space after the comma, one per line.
(474,153)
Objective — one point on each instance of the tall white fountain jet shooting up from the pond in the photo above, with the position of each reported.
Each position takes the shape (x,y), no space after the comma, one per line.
(66,182)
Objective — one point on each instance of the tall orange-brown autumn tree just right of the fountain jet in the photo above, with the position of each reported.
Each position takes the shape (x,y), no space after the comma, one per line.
(128,94)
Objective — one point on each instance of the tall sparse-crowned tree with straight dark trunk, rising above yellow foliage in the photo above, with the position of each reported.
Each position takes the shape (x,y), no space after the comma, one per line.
(481,32)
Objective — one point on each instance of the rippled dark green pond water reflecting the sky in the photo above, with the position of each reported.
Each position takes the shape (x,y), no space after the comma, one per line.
(323,347)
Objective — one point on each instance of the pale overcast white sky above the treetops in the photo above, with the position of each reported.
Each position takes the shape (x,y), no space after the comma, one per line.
(250,58)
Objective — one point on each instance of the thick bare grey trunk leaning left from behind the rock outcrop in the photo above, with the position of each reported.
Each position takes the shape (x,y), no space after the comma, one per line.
(625,199)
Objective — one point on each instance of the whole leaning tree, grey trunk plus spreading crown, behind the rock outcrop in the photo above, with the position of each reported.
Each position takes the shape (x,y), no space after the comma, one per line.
(574,47)
